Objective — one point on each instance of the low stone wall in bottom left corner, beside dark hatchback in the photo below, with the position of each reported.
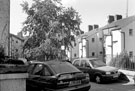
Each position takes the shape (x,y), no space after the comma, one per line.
(13,82)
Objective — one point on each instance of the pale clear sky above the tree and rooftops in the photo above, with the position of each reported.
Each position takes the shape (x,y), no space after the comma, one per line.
(91,11)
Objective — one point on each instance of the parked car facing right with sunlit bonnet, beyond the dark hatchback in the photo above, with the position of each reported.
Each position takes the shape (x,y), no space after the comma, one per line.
(97,69)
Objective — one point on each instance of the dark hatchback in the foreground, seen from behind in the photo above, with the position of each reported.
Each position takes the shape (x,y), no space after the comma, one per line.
(56,76)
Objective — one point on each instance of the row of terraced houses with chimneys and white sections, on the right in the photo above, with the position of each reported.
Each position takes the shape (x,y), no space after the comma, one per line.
(108,41)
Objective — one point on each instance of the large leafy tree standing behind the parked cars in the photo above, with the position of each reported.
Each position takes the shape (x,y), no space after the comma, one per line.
(50,25)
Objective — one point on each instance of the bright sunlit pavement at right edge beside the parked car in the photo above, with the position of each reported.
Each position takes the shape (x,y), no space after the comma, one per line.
(130,75)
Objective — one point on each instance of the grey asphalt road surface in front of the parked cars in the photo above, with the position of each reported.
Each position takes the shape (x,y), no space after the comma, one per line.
(113,86)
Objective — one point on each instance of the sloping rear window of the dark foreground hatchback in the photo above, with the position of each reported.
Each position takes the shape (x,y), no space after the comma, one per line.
(64,67)
